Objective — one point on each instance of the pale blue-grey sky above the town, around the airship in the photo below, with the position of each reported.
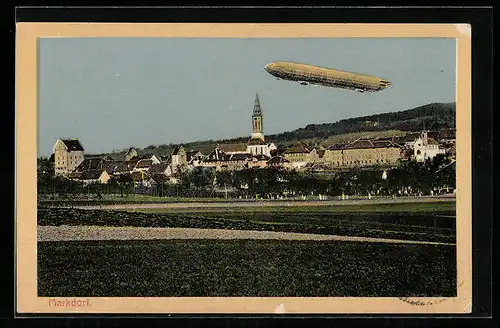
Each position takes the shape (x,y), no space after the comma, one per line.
(114,93)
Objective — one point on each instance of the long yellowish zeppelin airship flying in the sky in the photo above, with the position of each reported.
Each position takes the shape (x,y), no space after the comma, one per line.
(315,75)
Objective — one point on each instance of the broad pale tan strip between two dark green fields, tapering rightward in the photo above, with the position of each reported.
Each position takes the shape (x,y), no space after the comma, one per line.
(69,233)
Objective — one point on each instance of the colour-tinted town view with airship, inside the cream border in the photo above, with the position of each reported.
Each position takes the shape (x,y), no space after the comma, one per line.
(259,167)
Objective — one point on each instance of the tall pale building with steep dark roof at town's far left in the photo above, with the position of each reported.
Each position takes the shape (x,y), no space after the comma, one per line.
(68,154)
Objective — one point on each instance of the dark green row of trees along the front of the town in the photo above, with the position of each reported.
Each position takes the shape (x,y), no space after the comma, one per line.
(409,178)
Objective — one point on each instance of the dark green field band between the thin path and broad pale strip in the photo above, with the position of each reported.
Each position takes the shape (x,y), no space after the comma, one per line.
(429,226)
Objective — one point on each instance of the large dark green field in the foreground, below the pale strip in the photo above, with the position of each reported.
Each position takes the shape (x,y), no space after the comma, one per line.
(238,268)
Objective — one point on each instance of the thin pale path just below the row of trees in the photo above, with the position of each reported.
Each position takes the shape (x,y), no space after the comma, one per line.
(270,203)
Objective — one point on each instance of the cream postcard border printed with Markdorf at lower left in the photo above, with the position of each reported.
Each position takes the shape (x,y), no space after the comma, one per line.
(26,161)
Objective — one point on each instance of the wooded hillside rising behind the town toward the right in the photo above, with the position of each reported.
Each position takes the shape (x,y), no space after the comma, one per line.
(434,116)
